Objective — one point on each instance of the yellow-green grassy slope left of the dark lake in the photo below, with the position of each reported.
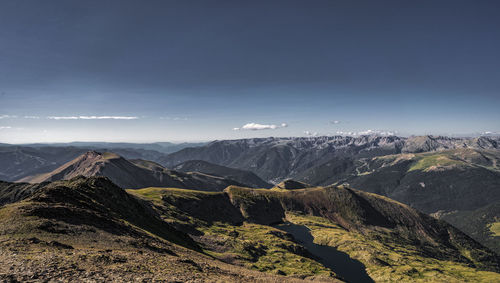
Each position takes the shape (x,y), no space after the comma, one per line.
(254,246)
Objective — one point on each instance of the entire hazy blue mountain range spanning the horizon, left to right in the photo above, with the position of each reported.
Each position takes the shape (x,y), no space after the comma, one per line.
(272,159)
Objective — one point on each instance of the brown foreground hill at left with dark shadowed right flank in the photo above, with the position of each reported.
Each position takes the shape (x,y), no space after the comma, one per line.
(89,229)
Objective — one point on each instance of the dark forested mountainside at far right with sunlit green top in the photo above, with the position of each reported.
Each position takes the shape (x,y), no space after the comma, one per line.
(459,179)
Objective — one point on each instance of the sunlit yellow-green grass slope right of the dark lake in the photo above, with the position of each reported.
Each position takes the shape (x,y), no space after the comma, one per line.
(387,261)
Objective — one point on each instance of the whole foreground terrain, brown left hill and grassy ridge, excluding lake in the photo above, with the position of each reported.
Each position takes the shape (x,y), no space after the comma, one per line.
(89,228)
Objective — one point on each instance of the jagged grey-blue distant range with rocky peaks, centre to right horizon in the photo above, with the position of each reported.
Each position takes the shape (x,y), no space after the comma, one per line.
(276,159)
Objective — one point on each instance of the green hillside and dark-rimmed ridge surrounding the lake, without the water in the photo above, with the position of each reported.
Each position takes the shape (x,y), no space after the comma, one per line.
(393,241)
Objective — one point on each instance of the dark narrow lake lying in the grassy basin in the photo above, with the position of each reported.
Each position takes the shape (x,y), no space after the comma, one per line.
(343,265)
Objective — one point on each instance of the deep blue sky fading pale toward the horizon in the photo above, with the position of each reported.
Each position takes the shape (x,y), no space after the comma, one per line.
(194,70)
